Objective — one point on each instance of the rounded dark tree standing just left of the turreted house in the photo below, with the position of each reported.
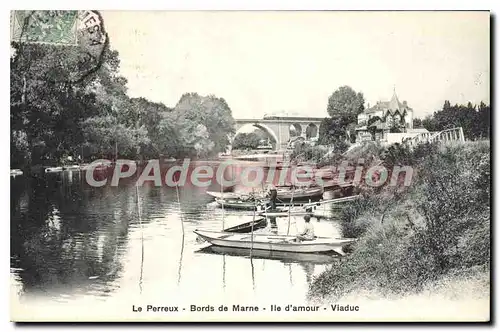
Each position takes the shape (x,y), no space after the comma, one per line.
(345,101)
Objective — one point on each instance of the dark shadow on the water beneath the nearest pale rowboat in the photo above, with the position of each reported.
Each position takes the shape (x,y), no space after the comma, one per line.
(283,256)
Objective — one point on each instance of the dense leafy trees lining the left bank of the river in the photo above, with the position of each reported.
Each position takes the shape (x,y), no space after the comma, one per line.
(54,116)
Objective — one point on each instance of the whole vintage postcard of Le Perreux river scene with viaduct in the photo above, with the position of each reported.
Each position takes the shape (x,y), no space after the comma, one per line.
(250,166)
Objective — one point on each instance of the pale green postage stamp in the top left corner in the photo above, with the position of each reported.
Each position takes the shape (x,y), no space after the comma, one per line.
(45,26)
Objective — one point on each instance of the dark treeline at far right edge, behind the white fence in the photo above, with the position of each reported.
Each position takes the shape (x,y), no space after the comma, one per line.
(474,119)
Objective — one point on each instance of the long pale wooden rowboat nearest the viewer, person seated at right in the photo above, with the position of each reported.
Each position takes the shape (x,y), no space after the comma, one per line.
(274,242)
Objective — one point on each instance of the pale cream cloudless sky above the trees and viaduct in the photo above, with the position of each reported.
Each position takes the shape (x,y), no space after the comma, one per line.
(268,62)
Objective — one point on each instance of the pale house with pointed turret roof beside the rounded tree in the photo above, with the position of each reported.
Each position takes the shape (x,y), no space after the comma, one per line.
(384,117)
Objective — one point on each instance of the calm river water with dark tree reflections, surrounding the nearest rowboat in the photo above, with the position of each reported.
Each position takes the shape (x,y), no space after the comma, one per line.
(73,244)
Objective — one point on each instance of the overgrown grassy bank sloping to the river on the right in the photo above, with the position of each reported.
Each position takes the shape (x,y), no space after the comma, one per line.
(437,230)
